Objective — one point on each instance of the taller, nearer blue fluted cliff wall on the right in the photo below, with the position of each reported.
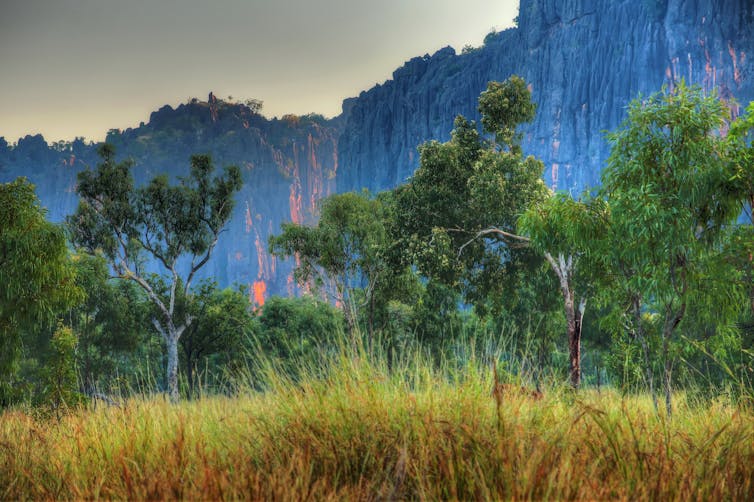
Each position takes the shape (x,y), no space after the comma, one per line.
(585,61)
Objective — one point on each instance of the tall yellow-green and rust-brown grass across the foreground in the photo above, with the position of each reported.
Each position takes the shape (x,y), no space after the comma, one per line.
(359,430)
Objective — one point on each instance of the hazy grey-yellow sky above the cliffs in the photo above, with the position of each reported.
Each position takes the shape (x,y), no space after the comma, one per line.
(77,68)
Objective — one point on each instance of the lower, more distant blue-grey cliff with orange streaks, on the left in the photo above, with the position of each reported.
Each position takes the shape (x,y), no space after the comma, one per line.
(286,164)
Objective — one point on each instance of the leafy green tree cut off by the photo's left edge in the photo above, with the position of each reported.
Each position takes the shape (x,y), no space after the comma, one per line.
(35,272)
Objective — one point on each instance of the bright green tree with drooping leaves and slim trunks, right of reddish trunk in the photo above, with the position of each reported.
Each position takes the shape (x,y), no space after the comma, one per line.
(668,186)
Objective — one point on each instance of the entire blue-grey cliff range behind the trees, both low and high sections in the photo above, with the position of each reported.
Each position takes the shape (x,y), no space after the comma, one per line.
(585,60)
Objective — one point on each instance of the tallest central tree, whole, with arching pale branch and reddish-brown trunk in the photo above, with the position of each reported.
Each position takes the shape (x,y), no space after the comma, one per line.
(460,213)
